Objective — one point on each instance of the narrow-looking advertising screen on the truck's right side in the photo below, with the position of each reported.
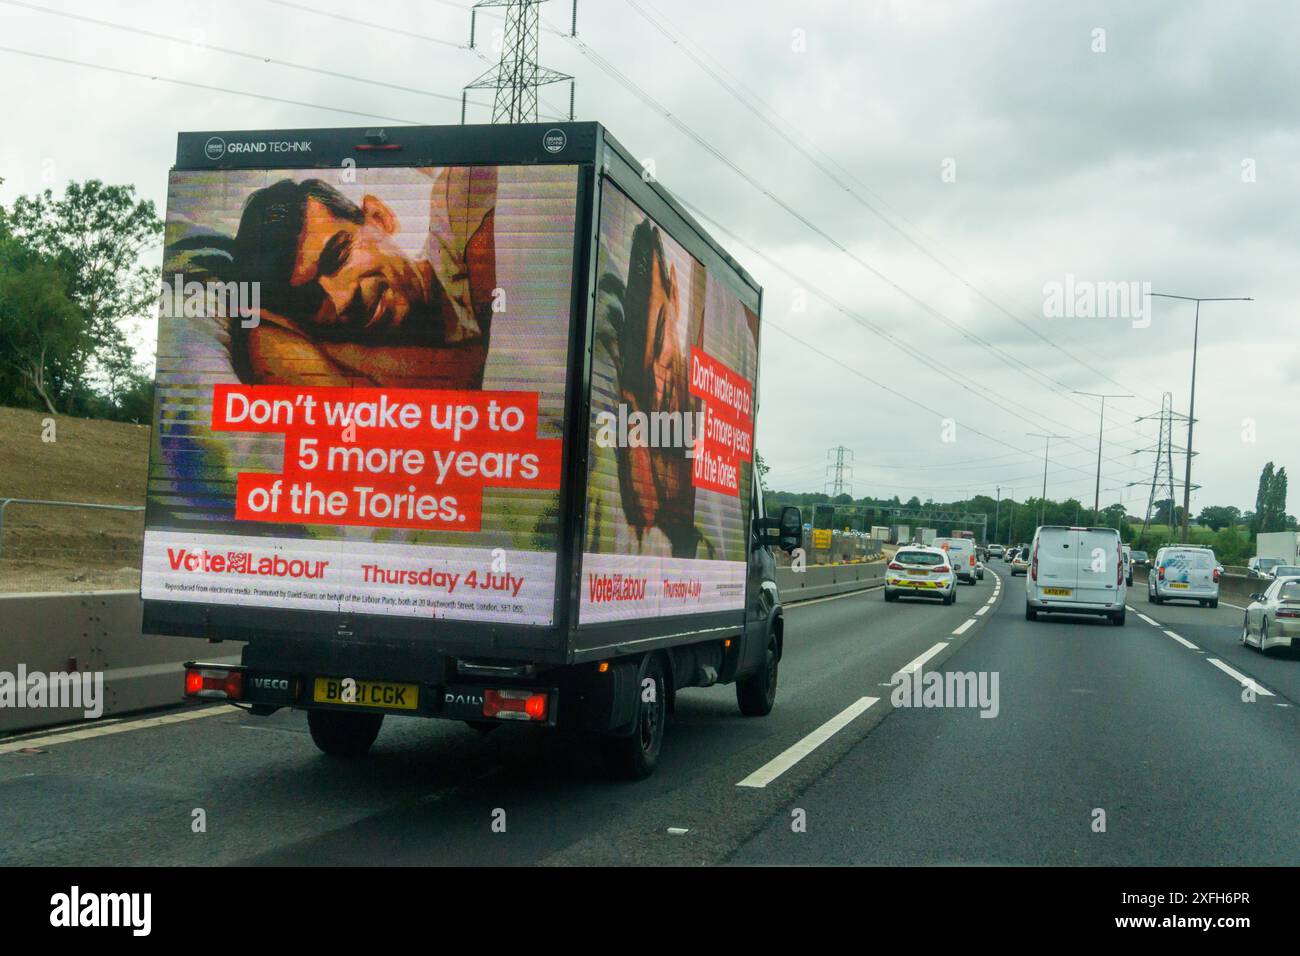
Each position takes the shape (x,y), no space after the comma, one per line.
(675,358)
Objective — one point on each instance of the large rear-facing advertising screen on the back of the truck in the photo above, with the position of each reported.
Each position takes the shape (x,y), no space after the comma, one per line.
(361,391)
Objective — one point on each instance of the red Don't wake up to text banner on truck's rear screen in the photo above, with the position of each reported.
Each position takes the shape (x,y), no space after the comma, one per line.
(397,458)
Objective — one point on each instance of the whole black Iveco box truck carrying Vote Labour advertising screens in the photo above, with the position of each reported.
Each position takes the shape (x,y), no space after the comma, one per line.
(458,423)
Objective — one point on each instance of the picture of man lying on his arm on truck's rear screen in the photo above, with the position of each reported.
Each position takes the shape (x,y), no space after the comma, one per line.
(345,305)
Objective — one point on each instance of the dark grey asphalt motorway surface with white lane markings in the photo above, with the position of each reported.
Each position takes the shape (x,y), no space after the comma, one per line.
(1137,723)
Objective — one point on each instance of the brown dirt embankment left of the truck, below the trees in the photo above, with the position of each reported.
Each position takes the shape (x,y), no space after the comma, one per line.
(63,548)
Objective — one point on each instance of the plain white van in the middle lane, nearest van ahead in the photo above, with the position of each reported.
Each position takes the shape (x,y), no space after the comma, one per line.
(1076,572)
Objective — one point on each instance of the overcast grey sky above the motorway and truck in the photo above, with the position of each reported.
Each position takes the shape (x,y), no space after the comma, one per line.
(948,162)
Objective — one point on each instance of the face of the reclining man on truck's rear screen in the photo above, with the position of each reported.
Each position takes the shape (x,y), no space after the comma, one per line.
(369,284)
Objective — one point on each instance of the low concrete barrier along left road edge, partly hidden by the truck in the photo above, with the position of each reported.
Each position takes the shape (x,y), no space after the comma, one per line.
(101,633)
